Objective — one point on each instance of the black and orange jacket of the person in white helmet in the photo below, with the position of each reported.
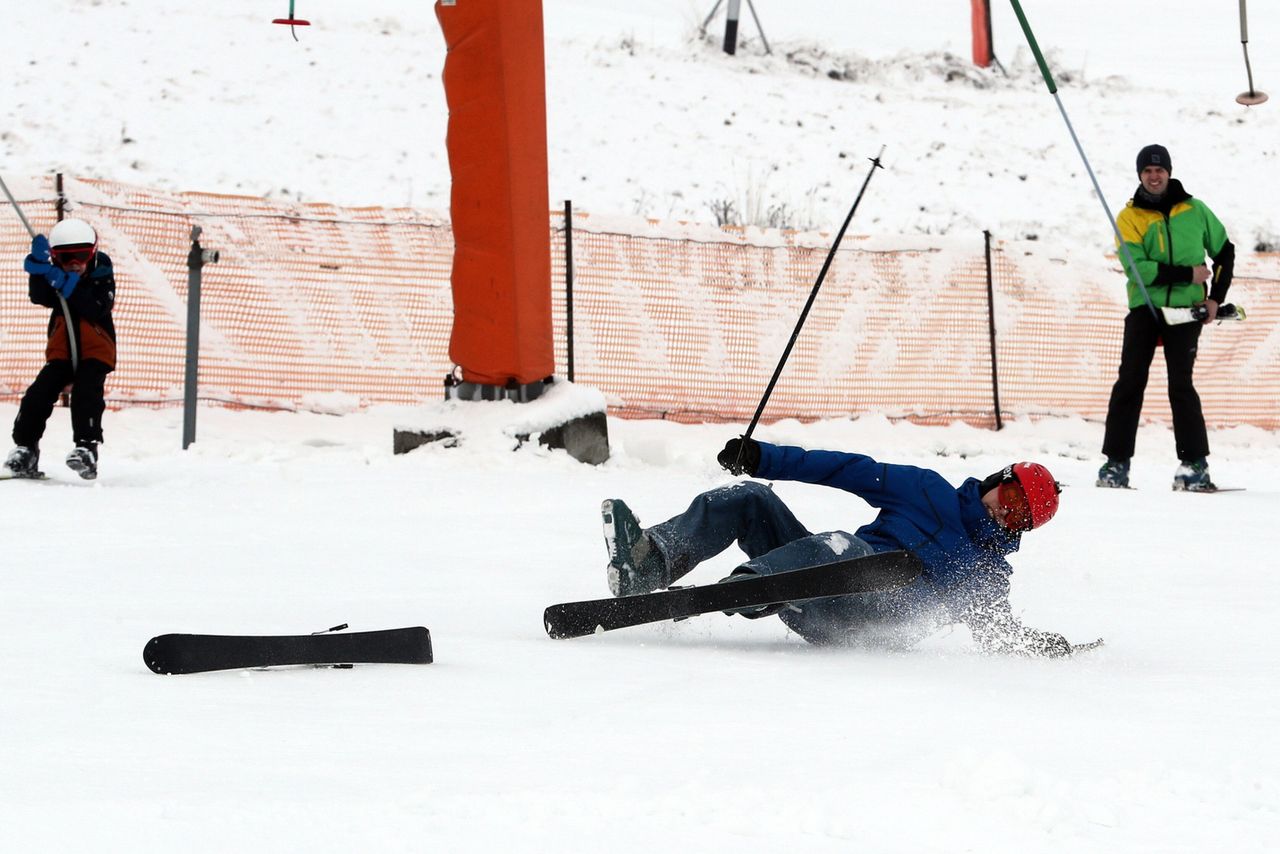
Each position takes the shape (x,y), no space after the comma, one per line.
(90,304)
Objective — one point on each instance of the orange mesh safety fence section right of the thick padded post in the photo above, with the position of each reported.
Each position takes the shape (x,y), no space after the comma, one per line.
(692,330)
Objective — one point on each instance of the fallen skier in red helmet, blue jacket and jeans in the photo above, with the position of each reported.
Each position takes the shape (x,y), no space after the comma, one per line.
(961,536)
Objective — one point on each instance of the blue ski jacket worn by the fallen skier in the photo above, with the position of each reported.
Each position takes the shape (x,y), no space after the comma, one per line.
(962,547)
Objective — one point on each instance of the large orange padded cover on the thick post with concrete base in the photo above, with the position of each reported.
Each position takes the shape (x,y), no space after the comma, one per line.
(495,84)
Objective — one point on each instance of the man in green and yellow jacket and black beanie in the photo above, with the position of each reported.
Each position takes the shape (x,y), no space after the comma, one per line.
(1168,234)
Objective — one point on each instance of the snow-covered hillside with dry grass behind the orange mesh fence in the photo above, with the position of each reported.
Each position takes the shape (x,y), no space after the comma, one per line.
(647,118)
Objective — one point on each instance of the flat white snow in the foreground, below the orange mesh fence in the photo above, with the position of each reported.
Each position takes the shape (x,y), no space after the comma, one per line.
(711,734)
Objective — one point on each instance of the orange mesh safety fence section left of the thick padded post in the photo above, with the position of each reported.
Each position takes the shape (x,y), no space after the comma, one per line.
(307,303)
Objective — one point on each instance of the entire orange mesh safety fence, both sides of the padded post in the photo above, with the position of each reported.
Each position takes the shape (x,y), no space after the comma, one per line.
(314,307)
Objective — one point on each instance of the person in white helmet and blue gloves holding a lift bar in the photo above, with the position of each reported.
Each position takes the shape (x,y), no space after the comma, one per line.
(67,264)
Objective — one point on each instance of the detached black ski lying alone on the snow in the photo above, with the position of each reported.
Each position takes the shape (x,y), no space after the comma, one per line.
(200,654)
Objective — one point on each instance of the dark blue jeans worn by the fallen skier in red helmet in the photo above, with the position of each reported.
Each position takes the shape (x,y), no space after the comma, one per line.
(752,515)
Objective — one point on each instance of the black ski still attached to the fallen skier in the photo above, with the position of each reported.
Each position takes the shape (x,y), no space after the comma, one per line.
(857,576)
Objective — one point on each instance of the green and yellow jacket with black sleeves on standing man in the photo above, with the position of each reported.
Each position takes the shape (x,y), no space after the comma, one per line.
(1168,239)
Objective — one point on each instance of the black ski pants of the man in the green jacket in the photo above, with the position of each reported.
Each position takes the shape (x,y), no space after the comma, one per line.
(1142,335)
